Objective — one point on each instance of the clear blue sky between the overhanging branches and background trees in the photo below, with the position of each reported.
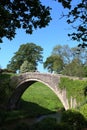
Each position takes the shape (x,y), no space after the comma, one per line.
(47,38)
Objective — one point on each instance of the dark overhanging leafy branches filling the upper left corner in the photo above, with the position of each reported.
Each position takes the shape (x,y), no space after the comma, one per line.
(26,14)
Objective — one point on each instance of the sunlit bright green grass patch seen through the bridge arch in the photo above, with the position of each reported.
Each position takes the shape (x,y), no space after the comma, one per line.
(43,96)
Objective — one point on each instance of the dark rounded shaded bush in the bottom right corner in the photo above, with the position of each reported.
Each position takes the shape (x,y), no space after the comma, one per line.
(74,119)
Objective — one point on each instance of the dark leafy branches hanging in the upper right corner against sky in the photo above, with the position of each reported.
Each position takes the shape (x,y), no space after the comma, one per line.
(77,17)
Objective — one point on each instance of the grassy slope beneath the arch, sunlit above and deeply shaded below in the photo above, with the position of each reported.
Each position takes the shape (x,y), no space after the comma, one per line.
(37,100)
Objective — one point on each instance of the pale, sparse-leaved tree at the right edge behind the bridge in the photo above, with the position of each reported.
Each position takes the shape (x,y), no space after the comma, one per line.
(78,63)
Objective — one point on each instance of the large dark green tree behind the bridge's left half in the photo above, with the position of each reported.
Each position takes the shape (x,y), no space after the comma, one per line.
(29,52)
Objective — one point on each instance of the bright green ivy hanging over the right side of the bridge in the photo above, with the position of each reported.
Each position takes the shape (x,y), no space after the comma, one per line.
(74,88)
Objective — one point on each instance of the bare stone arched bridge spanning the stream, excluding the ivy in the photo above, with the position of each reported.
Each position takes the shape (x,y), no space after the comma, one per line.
(23,81)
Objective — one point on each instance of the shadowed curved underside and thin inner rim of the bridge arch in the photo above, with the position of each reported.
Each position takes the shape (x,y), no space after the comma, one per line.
(21,88)
